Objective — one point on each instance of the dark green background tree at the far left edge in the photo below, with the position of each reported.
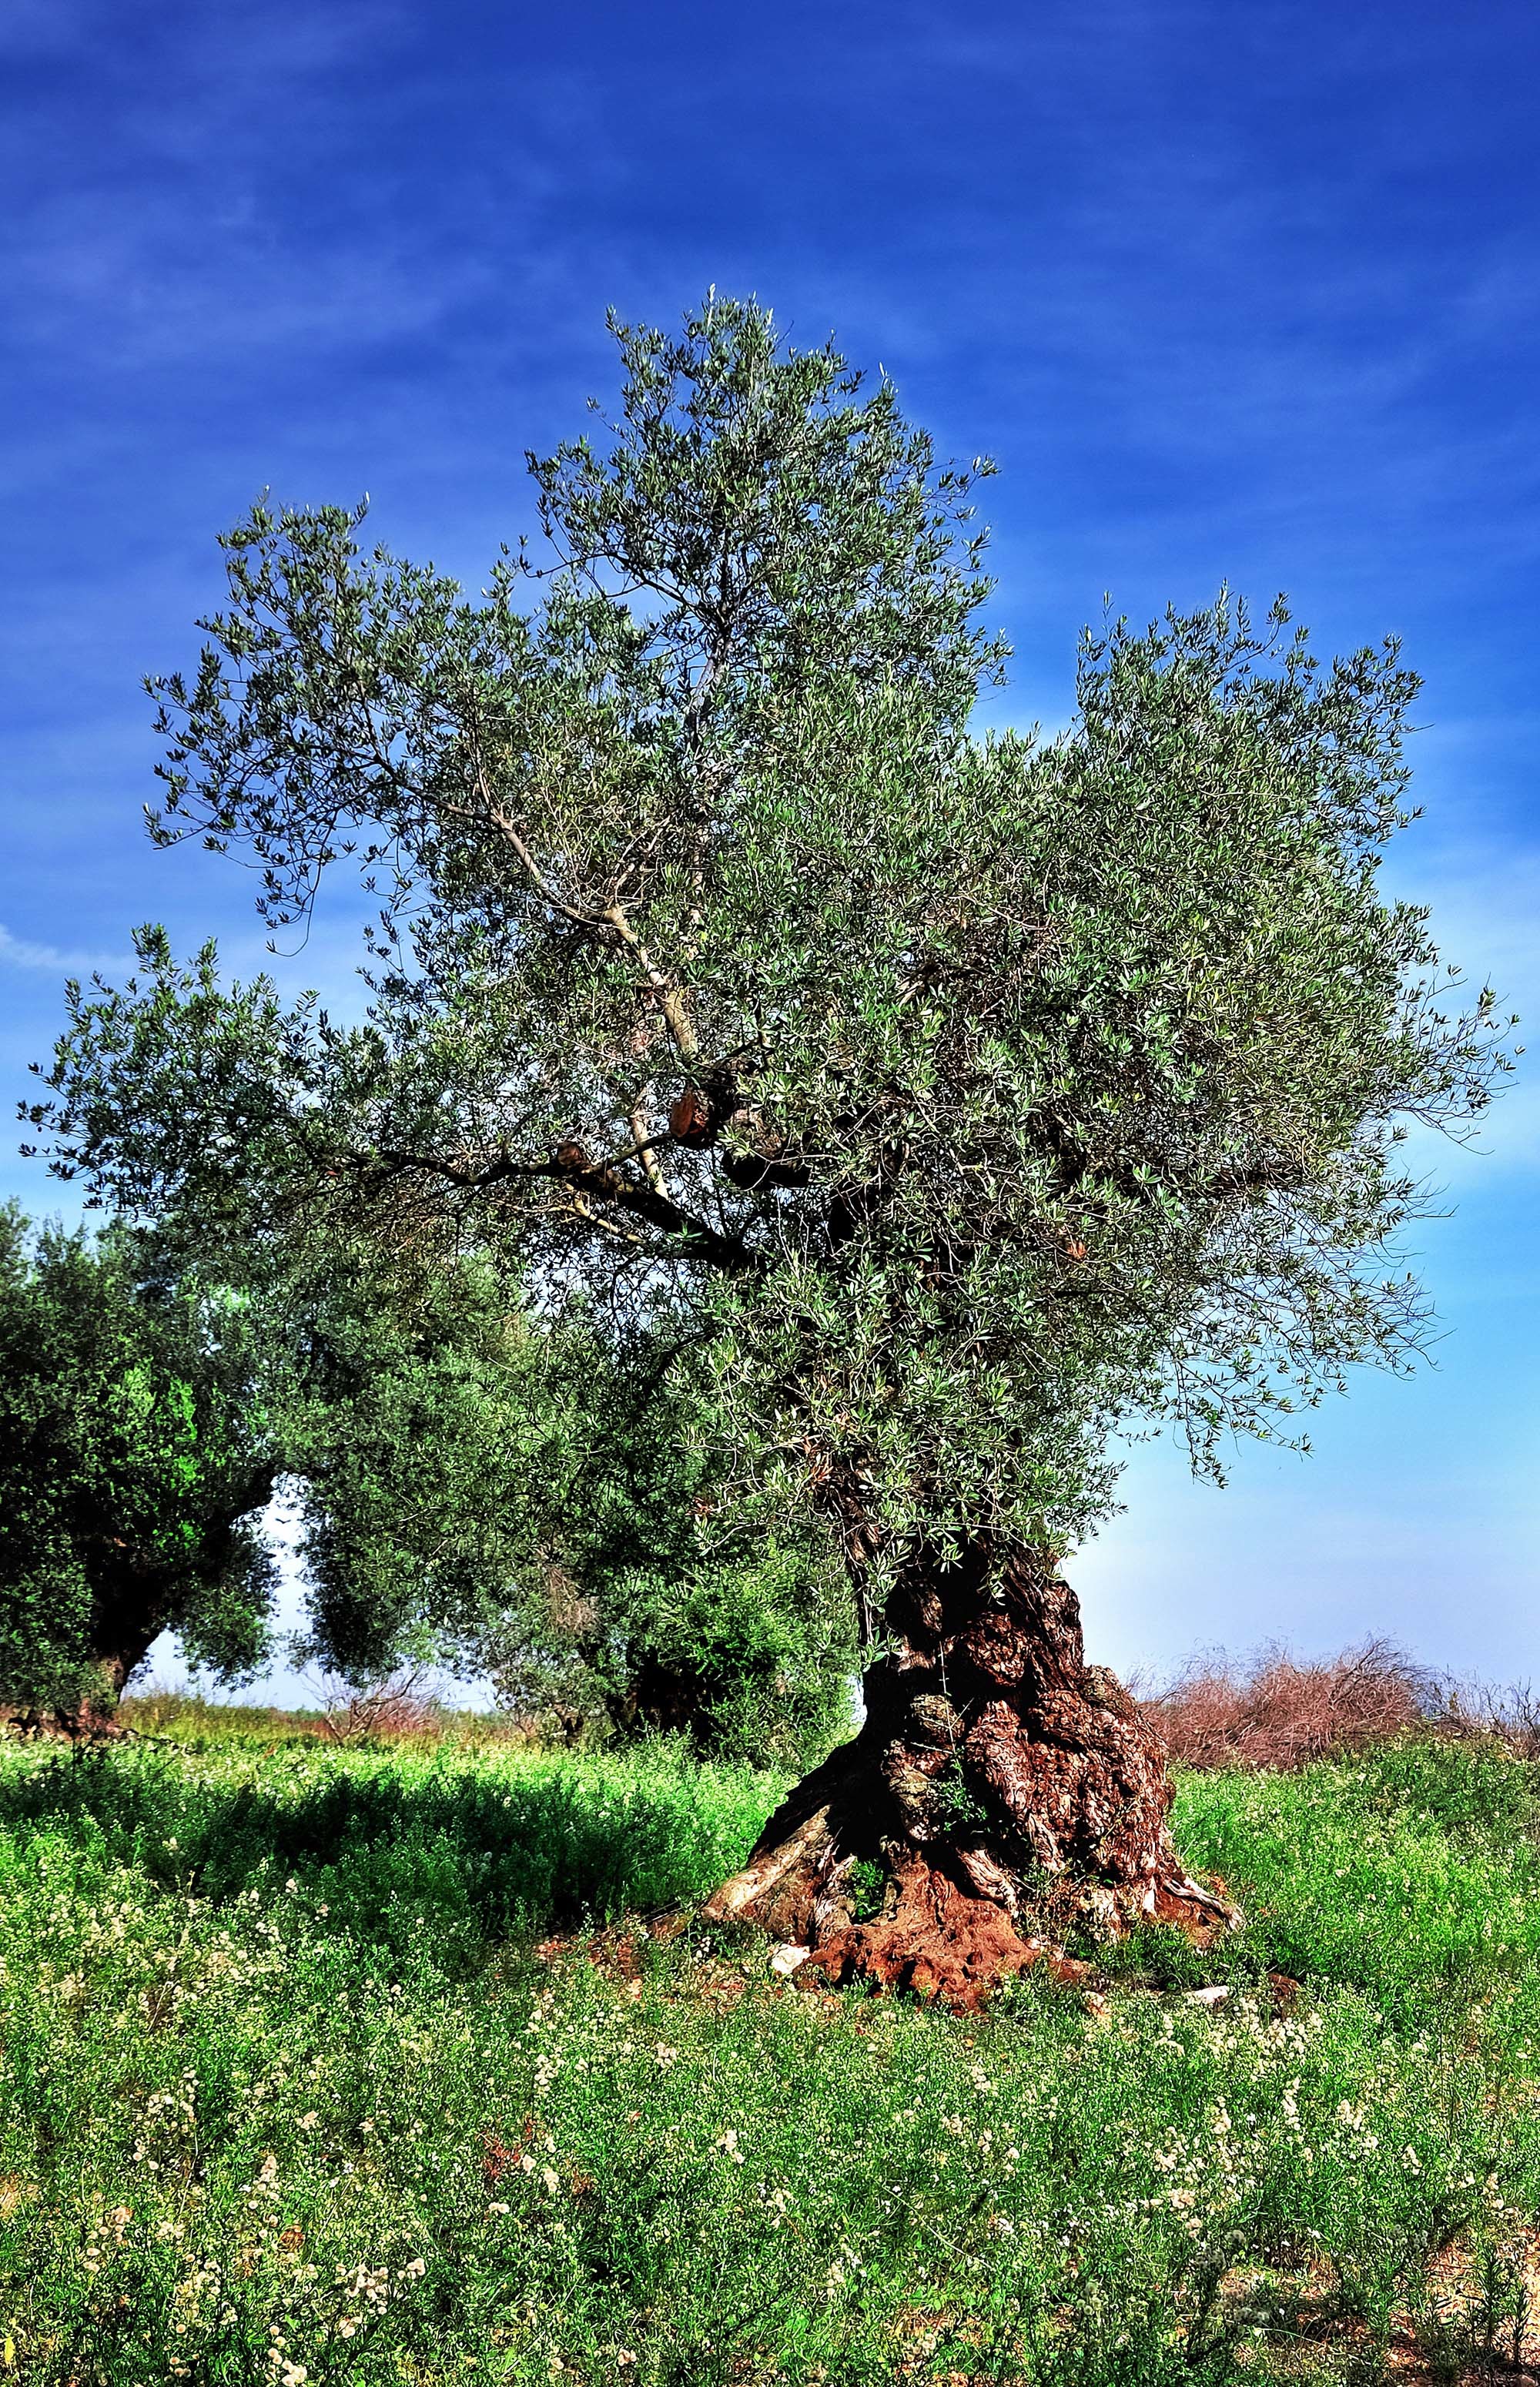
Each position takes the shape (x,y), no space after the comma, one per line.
(135,1464)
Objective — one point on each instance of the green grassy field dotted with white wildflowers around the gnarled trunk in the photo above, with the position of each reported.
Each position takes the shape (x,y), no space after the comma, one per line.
(292,2092)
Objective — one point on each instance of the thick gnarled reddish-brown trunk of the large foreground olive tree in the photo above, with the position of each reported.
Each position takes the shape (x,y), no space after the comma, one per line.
(997,1796)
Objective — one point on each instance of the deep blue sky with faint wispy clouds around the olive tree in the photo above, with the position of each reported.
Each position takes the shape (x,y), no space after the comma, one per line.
(1233,295)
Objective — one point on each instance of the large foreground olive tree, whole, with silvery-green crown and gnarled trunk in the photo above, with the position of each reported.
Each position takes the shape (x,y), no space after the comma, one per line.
(966,1094)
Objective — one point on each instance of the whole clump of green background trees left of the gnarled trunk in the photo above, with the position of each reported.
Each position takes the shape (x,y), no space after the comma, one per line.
(467,1486)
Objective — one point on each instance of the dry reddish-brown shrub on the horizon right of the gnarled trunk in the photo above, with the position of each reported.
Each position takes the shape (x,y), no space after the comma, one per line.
(1281,1713)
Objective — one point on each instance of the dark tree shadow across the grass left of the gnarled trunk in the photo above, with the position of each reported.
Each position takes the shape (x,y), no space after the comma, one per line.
(438,1858)
